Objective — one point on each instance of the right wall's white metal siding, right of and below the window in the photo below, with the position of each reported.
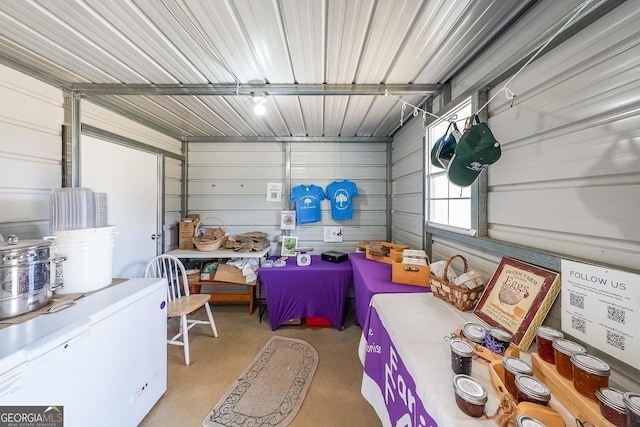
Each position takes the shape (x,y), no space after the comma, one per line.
(568,181)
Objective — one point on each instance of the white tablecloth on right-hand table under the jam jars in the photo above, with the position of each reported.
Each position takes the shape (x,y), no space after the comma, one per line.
(417,325)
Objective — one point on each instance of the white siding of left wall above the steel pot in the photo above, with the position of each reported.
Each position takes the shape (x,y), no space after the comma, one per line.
(31,117)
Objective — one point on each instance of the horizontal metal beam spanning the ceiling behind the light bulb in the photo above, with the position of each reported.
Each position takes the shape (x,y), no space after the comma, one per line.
(231,89)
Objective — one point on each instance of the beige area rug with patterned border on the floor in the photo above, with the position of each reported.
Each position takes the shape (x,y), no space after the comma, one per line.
(271,390)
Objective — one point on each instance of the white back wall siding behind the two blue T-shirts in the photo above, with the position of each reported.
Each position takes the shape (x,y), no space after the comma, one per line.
(228,181)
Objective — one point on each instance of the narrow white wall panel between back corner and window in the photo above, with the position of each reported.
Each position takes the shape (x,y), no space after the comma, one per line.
(407,198)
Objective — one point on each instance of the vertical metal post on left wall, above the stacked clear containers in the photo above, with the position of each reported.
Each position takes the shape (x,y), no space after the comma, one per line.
(71,140)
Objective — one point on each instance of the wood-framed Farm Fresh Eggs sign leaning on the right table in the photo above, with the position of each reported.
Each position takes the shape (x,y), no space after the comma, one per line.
(518,298)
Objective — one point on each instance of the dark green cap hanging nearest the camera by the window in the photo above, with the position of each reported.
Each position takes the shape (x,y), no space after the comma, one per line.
(476,150)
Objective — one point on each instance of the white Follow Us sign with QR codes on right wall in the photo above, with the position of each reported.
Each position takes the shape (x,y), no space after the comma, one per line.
(601,307)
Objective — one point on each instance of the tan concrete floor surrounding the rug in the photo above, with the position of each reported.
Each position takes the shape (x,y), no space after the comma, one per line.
(333,399)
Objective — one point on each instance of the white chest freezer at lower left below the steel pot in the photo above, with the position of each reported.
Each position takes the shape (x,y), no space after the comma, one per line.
(104,359)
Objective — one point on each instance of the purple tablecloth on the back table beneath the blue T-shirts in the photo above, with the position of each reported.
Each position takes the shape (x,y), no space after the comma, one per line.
(317,290)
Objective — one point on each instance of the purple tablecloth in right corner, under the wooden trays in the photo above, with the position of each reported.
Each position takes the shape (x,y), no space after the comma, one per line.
(371,278)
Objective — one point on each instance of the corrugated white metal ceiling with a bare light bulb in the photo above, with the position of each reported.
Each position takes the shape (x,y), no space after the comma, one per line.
(319,54)
